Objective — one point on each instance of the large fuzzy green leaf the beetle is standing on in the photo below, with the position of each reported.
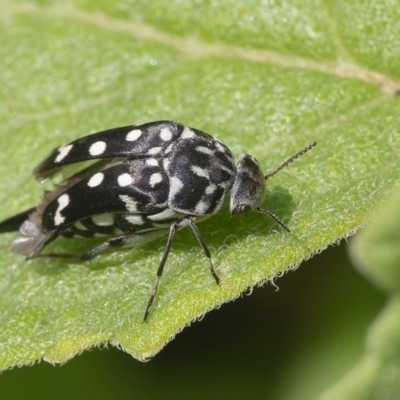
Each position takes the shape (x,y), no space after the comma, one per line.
(265,79)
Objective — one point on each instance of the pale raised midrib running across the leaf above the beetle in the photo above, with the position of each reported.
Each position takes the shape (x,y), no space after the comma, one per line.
(344,67)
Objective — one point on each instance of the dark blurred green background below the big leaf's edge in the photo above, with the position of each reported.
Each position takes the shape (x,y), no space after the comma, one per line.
(286,344)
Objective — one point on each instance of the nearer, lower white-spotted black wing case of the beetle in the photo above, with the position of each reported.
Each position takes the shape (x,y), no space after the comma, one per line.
(133,186)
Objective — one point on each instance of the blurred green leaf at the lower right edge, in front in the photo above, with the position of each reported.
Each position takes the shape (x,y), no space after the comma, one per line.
(376,254)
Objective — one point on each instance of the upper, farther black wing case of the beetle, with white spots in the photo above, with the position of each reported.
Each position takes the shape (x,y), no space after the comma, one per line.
(136,141)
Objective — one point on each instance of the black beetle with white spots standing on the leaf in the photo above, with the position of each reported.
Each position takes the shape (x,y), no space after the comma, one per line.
(143,182)
